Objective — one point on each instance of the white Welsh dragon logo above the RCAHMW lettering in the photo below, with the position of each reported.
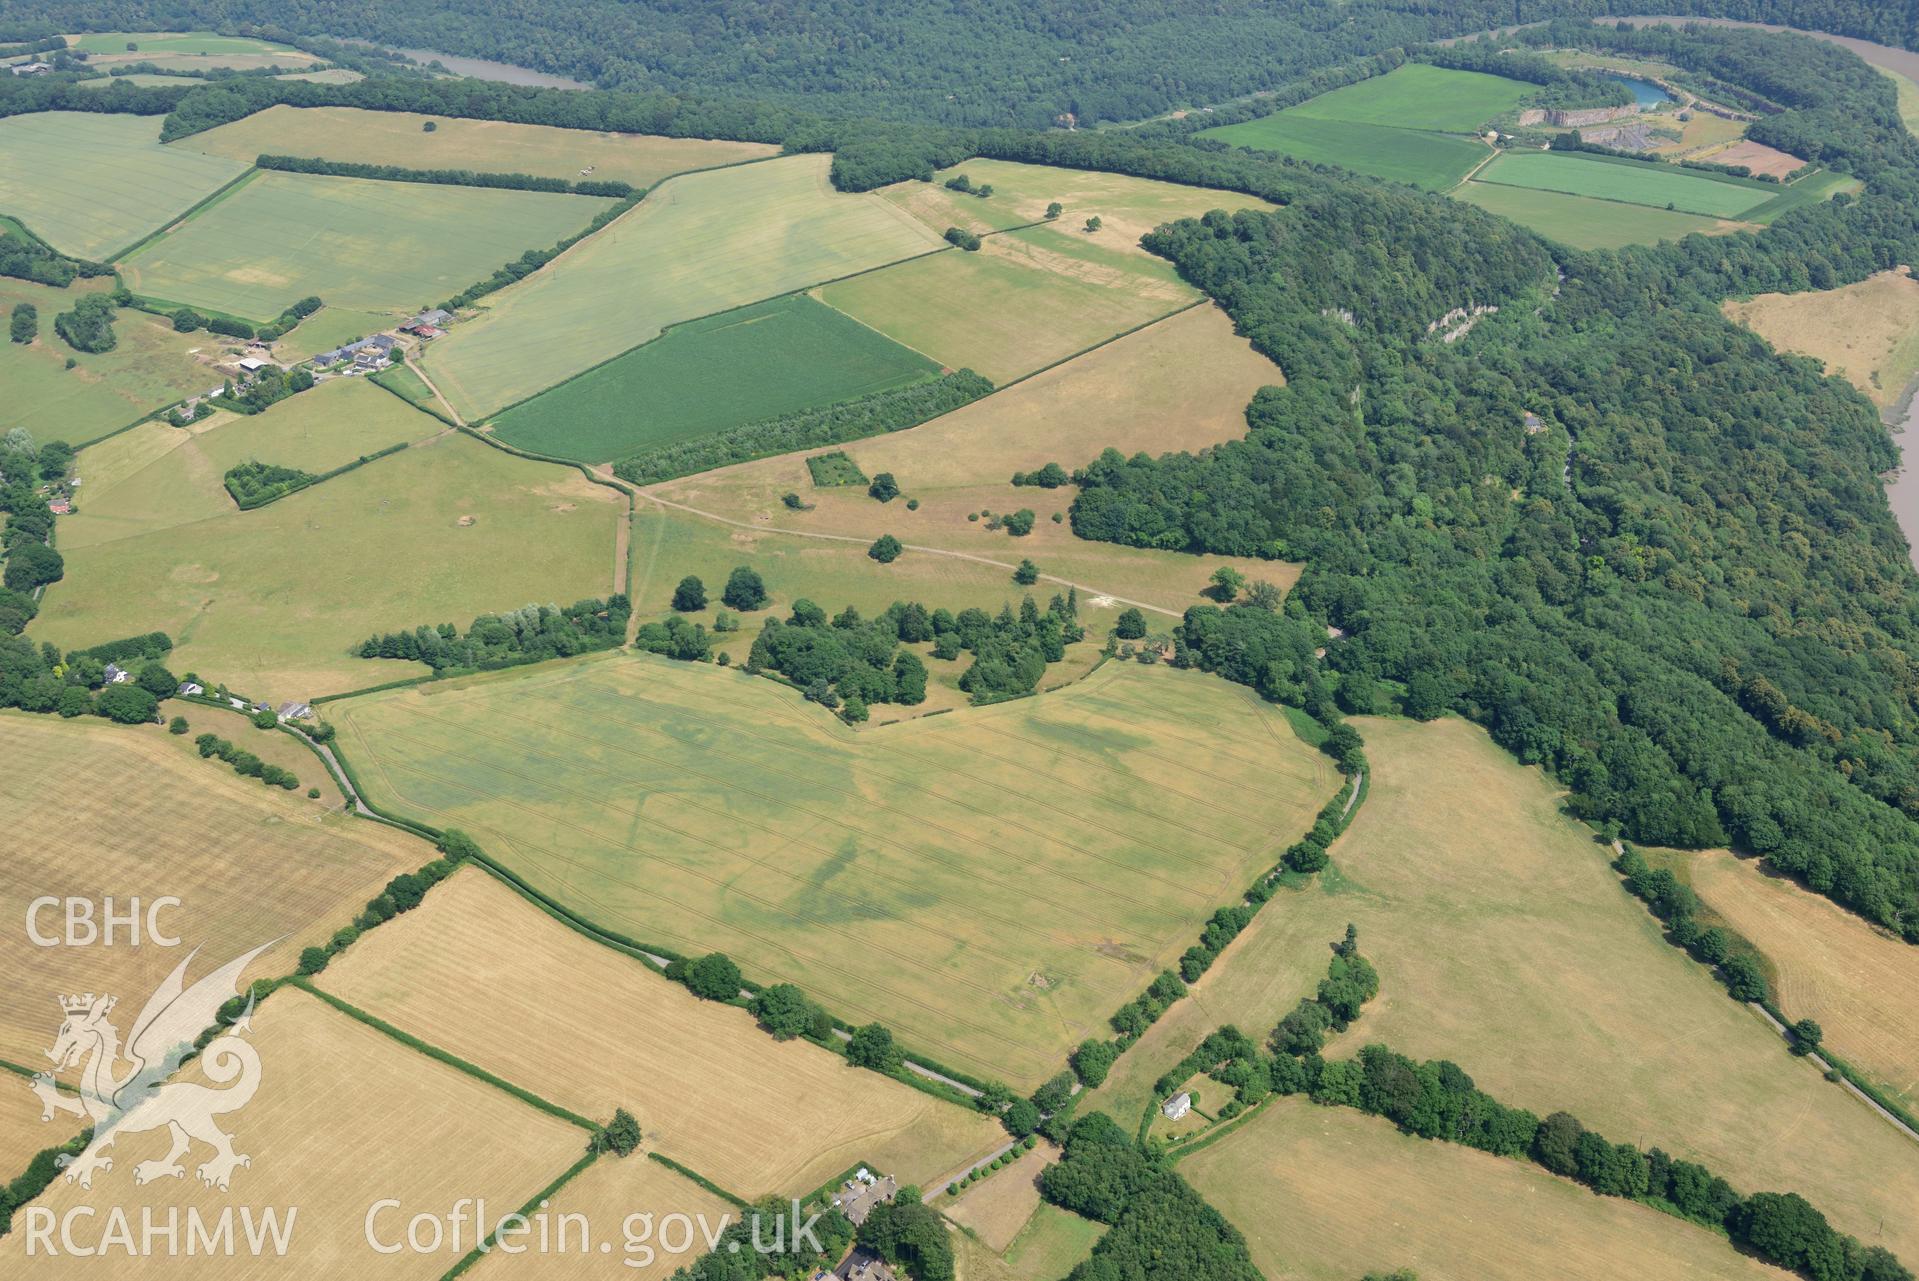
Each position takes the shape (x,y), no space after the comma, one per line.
(141,1098)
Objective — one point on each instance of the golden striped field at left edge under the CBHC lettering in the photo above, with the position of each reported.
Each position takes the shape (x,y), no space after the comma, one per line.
(249,864)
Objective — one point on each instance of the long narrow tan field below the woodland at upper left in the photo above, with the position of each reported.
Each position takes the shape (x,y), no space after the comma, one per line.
(490,147)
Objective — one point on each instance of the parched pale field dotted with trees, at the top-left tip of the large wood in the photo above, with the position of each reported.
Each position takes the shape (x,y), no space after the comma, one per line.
(1127,206)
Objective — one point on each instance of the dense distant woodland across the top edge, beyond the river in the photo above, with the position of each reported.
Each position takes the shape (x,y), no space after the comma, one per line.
(995,62)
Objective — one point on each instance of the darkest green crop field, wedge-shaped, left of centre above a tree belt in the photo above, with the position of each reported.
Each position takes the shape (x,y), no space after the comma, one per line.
(713,375)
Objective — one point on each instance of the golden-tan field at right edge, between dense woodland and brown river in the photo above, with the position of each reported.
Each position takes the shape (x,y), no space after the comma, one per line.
(1866,333)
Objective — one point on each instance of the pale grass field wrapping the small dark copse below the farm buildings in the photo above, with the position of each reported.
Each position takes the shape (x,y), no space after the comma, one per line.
(160,477)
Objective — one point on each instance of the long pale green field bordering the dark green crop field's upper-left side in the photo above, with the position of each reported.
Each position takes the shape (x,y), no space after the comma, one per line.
(696,246)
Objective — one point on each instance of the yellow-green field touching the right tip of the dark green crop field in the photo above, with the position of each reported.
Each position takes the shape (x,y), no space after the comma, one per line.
(1020,304)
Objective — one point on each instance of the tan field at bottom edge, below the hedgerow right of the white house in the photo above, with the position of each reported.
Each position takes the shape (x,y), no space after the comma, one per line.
(1331,1194)
